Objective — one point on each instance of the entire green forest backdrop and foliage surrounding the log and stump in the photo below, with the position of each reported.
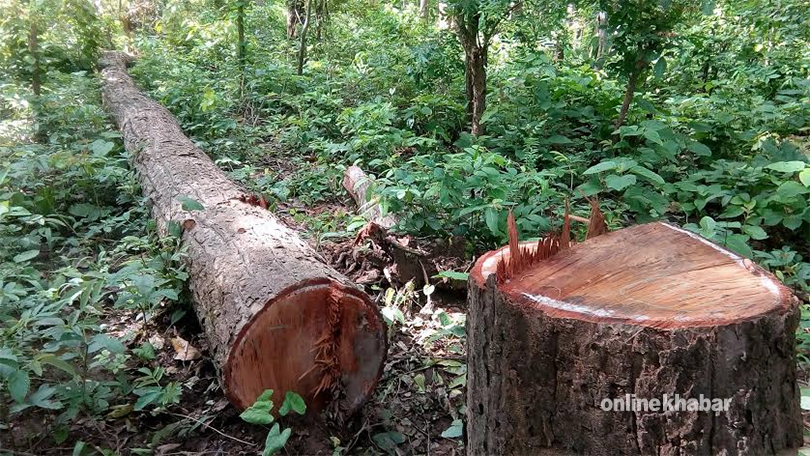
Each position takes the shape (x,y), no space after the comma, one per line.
(691,112)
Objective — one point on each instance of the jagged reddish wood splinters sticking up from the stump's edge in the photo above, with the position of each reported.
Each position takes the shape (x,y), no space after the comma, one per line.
(521,258)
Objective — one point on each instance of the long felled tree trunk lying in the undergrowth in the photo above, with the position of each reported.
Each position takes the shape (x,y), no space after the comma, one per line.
(276,317)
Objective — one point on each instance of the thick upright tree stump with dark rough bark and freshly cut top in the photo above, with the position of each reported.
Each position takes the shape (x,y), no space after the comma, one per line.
(639,313)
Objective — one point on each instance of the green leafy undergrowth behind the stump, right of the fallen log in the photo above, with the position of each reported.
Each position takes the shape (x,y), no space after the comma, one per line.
(722,151)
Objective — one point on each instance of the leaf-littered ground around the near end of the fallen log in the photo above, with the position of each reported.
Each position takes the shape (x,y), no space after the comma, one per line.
(417,408)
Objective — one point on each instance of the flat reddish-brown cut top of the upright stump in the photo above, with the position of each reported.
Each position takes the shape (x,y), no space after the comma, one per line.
(653,275)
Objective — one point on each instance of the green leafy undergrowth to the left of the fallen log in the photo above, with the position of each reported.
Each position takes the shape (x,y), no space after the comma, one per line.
(78,249)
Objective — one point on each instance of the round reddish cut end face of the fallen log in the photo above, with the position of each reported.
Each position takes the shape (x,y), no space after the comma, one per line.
(322,340)
